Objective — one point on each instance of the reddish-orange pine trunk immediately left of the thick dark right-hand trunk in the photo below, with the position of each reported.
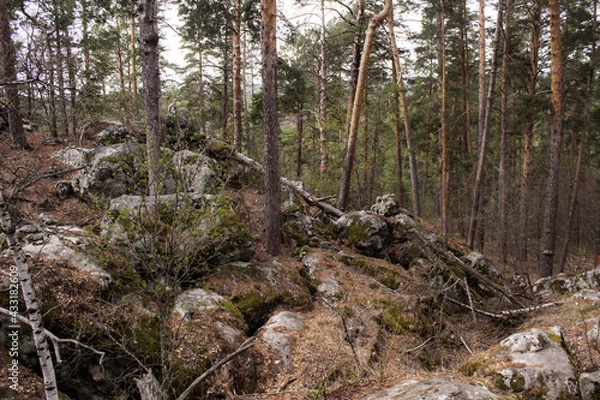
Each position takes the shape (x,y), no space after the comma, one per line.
(527,145)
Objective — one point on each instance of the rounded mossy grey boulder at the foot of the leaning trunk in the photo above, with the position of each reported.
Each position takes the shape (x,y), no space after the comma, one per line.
(367,233)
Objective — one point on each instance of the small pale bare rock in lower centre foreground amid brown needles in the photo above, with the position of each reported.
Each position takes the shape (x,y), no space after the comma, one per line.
(277,335)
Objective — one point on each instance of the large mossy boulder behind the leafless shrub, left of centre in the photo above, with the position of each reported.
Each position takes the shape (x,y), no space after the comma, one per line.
(196,231)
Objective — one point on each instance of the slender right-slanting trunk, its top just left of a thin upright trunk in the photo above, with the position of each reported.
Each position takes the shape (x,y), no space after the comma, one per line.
(484,131)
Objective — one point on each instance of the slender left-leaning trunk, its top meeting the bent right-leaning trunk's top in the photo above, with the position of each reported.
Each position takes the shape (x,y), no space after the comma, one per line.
(412,160)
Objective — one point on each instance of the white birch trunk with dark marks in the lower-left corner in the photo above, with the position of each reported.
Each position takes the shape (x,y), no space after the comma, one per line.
(33,310)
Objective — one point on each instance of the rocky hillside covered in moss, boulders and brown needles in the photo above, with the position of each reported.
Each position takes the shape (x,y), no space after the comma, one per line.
(354,305)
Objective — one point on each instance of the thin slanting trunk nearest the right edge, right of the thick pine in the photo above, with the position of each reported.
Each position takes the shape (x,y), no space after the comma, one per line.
(580,152)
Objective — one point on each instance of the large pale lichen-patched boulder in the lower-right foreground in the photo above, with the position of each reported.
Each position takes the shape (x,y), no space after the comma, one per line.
(535,361)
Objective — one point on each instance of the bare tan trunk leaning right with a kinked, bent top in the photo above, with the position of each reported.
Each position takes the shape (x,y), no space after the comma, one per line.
(354,121)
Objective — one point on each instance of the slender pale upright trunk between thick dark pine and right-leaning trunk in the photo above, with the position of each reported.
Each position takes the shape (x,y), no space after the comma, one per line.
(324,163)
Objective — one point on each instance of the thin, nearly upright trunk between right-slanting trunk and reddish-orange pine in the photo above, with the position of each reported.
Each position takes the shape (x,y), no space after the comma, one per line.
(502,175)
